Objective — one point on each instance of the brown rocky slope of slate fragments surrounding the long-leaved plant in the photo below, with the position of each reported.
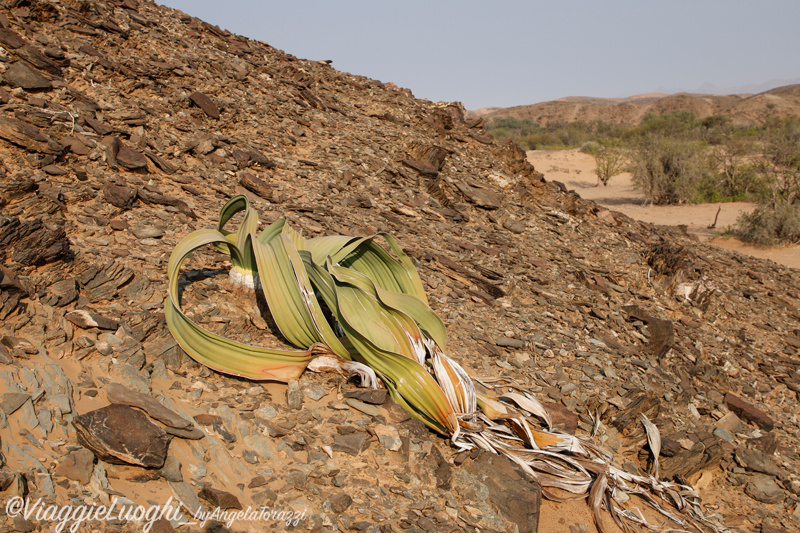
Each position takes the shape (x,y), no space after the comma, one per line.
(125,125)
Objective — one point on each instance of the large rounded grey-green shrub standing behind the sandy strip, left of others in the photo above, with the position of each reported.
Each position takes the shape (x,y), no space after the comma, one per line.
(668,170)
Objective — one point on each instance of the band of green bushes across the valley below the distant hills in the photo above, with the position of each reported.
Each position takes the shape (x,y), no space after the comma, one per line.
(676,157)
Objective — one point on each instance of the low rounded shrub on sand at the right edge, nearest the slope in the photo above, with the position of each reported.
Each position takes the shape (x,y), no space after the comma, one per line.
(772,222)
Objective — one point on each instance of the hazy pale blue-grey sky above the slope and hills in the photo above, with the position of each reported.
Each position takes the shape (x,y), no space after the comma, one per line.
(516,52)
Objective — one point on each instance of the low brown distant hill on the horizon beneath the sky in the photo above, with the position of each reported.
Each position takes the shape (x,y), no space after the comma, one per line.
(742,108)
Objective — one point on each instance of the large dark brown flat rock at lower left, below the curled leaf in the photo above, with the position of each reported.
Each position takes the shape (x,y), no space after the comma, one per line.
(120,434)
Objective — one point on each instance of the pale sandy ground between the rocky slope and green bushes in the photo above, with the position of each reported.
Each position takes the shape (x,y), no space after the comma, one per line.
(576,170)
